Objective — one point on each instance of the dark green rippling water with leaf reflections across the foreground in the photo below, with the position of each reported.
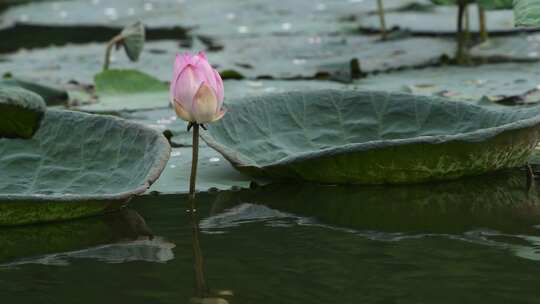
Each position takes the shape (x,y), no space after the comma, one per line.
(474,241)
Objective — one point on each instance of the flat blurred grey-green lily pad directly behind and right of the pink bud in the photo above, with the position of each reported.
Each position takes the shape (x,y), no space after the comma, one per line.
(328,56)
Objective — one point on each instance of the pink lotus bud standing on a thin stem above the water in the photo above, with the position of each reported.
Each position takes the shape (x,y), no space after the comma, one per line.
(196,89)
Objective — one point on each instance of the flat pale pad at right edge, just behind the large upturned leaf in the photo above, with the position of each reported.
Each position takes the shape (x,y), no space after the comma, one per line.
(491,82)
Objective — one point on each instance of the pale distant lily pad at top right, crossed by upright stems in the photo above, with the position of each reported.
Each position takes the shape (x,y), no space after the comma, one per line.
(441,21)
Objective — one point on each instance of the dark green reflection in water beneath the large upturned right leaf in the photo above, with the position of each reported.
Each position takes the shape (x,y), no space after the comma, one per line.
(502,202)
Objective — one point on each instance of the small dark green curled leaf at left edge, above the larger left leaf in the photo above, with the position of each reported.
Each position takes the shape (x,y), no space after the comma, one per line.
(21,112)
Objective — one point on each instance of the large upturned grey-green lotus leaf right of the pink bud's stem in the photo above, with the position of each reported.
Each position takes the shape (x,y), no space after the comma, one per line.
(371,137)
